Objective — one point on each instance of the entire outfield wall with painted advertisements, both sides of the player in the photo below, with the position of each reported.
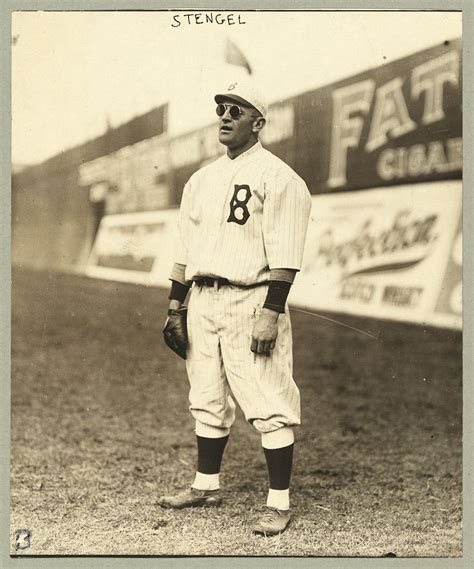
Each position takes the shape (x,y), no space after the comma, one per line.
(381,153)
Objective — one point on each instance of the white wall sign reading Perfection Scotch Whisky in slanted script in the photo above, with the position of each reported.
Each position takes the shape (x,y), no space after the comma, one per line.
(380,253)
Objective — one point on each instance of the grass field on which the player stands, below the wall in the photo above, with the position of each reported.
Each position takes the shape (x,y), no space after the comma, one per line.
(100,429)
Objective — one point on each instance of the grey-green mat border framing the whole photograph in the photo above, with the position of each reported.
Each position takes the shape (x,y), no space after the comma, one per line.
(7,7)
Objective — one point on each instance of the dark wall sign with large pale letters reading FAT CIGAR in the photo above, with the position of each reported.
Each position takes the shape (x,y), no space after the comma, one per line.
(395,124)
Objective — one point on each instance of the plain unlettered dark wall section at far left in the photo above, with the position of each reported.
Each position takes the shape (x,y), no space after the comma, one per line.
(54,216)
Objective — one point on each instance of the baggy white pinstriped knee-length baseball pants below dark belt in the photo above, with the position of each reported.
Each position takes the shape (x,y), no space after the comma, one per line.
(222,369)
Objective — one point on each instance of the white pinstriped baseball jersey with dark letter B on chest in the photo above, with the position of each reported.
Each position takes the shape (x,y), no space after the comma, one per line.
(241,217)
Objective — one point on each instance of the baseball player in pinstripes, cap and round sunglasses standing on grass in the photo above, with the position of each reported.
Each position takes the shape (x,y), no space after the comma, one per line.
(242,228)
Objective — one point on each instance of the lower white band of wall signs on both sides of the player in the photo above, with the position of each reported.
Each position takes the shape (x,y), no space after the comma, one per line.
(393,255)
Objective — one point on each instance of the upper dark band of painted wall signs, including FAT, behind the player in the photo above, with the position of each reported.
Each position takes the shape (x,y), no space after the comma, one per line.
(395,124)
